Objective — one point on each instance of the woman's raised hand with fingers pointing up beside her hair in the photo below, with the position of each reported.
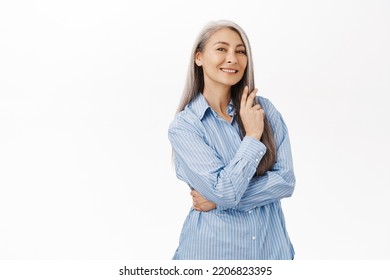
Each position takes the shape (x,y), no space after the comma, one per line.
(252,116)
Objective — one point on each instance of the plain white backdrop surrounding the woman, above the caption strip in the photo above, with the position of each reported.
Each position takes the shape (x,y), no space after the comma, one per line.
(88,89)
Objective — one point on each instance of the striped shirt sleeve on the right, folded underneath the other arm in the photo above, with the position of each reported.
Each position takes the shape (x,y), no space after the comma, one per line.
(277,183)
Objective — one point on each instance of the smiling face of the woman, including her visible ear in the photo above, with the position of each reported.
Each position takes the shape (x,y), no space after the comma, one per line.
(223,59)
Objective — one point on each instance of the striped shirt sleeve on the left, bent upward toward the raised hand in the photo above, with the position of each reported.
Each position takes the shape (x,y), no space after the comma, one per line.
(201,167)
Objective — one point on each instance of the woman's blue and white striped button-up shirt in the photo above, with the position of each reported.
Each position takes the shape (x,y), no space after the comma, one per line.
(211,157)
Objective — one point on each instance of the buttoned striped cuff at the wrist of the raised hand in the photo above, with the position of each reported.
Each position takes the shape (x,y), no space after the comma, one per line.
(252,150)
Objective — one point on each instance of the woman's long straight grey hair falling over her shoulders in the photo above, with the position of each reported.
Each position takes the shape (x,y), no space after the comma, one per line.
(195,84)
